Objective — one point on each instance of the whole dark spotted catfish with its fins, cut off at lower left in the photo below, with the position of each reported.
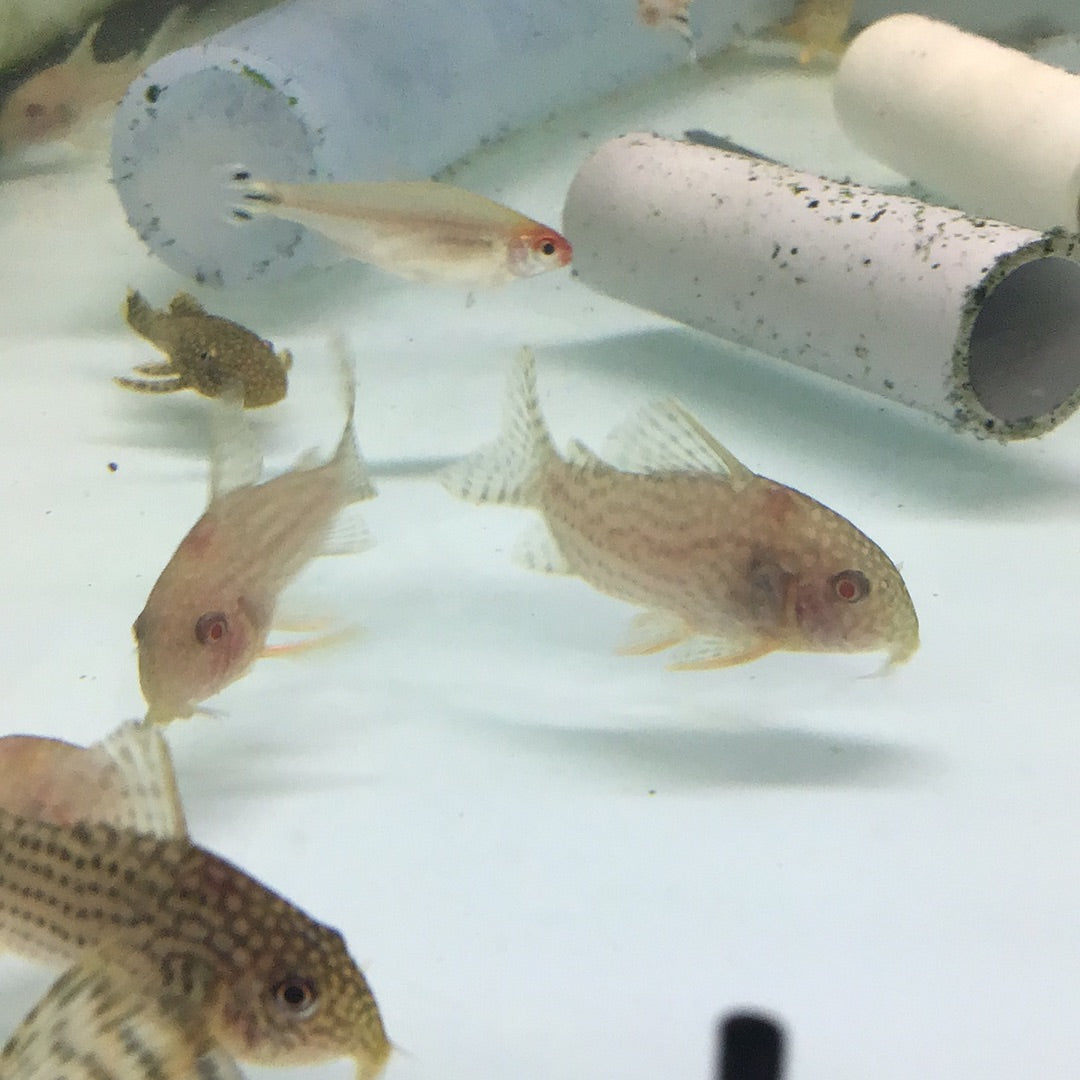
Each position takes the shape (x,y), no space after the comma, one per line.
(178,964)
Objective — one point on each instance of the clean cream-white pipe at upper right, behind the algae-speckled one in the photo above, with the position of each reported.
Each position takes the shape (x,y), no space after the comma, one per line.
(987,127)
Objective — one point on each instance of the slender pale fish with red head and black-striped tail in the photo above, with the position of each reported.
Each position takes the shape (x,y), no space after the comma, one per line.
(417,229)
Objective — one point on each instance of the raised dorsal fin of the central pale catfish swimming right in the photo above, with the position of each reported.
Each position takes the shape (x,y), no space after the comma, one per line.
(664,437)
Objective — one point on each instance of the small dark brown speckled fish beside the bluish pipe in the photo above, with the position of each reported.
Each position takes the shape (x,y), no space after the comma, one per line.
(207,354)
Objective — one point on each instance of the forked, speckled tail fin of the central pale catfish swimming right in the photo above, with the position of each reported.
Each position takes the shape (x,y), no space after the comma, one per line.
(510,470)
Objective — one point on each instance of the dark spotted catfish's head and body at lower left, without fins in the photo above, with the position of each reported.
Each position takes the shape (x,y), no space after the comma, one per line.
(193,931)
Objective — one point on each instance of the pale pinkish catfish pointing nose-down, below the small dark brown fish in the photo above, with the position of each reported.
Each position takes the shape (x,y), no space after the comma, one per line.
(209,615)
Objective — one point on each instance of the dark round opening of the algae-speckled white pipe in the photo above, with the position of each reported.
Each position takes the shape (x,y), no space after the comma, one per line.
(1024,354)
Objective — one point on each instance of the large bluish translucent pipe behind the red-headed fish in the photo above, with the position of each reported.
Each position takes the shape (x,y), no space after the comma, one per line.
(364,90)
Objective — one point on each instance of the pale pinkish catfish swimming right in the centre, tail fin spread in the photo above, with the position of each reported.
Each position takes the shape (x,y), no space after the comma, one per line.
(730,565)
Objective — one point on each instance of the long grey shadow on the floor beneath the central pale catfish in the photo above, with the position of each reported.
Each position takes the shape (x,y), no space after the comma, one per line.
(668,759)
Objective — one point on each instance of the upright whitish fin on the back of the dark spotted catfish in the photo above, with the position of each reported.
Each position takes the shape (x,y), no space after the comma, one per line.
(150,800)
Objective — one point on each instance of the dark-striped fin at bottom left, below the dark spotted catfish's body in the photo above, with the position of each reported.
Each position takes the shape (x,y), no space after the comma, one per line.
(93,1024)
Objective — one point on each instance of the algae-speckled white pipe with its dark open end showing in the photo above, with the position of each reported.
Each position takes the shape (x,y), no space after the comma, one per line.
(975,321)
